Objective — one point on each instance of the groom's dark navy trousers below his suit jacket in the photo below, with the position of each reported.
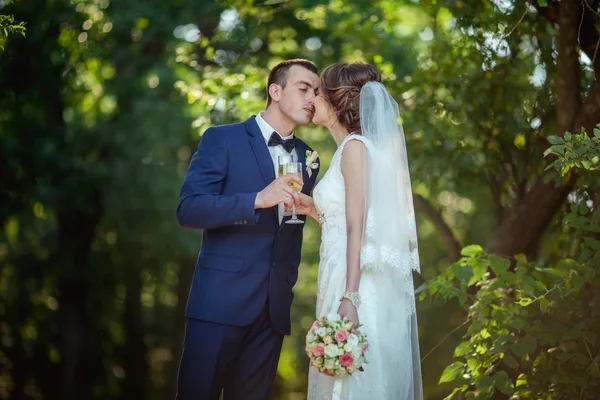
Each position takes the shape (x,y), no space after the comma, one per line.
(239,361)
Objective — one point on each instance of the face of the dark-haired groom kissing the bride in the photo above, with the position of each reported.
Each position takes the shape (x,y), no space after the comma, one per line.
(296,99)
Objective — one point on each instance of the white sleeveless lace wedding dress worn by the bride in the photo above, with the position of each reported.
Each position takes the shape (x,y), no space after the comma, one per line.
(387,312)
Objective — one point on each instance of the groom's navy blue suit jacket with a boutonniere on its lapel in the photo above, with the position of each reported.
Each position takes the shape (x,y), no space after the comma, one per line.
(246,257)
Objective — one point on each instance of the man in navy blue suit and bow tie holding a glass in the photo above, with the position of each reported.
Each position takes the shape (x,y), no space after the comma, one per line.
(239,305)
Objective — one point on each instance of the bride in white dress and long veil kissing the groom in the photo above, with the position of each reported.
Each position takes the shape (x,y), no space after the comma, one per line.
(369,243)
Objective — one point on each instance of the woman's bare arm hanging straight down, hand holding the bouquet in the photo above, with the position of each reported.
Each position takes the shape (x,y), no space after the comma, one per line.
(354,160)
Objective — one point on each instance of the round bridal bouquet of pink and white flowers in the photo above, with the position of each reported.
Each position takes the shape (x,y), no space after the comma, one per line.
(335,346)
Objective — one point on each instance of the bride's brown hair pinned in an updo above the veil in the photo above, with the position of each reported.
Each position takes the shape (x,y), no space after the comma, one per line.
(341,84)
